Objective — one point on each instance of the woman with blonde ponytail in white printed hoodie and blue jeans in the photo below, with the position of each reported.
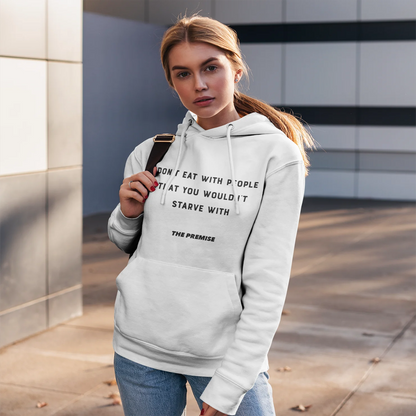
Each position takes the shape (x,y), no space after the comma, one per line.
(202,296)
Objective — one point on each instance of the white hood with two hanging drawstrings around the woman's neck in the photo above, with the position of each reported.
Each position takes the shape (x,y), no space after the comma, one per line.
(251,124)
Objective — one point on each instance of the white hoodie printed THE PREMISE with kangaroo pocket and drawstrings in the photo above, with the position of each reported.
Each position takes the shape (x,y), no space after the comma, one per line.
(204,292)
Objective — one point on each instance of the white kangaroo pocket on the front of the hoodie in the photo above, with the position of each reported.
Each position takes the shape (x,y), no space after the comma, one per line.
(182,309)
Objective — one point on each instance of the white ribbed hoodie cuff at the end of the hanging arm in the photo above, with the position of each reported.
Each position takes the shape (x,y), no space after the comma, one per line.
(223,395)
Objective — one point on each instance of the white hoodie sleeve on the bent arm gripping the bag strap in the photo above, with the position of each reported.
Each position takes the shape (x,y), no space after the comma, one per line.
(121,229)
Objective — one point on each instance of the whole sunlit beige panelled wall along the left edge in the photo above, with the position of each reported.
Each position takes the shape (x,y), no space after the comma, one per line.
(40,165)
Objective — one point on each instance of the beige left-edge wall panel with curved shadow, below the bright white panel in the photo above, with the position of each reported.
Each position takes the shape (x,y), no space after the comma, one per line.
(23,239)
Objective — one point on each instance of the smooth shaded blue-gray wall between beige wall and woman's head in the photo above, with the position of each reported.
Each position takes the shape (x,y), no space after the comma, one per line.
(128,102)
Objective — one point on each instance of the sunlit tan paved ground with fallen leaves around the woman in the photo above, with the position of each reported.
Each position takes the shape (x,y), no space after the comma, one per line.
(351,298)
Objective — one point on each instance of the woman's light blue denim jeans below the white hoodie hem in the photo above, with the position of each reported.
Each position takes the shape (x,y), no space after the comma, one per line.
(145,391)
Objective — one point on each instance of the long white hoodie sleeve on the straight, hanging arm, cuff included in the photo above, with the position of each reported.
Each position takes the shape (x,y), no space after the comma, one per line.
(266,271)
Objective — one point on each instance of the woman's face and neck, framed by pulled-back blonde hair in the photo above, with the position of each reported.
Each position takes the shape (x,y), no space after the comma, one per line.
(201,70)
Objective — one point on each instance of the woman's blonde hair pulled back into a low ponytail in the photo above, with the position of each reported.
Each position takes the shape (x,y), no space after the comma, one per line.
(197,28)
